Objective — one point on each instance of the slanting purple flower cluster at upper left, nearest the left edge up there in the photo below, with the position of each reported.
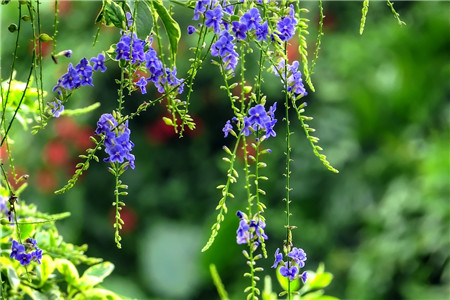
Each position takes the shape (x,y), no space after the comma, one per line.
(76,77)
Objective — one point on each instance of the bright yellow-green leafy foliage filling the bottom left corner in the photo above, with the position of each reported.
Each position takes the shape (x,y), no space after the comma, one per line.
(57,270)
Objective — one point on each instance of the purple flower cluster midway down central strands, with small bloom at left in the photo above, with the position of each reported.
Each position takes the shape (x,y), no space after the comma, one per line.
(257,119)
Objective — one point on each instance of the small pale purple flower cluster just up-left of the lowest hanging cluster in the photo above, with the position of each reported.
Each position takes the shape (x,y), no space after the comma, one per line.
(250,229)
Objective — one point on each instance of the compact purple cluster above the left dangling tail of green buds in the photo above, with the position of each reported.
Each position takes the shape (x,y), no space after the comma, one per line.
(117,140)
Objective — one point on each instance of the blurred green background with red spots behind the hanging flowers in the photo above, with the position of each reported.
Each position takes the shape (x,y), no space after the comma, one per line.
(381,109)
